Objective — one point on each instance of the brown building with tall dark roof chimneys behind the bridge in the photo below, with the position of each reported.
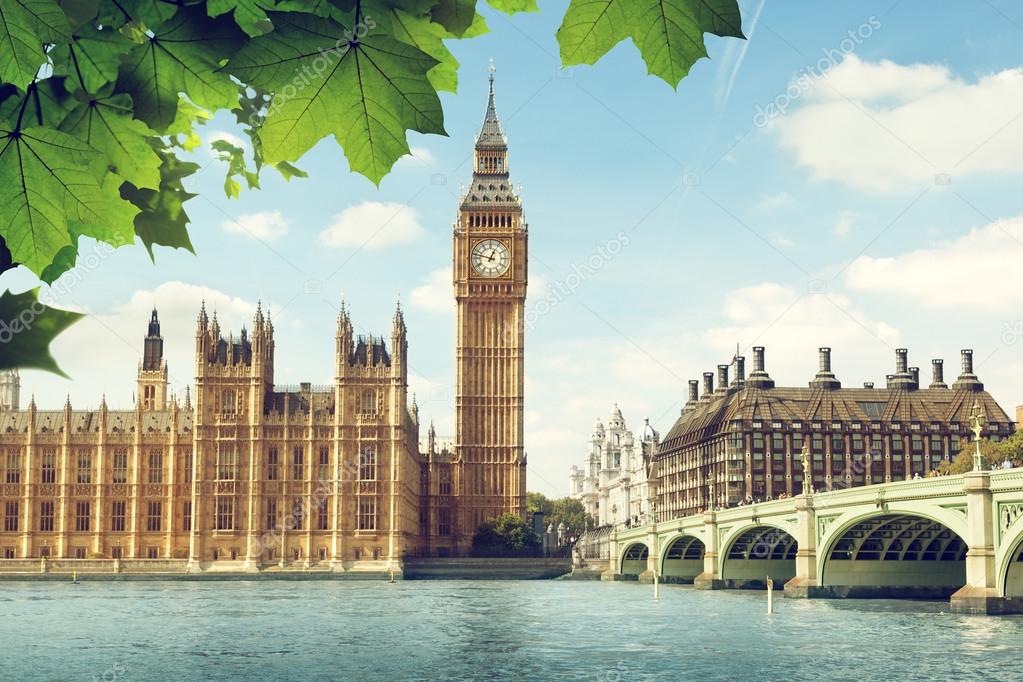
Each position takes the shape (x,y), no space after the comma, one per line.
(744,440)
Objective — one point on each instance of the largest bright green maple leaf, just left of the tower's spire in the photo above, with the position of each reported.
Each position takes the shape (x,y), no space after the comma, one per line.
(367,93)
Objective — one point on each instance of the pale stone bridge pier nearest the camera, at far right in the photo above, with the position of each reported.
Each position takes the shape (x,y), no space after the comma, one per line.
(981,595)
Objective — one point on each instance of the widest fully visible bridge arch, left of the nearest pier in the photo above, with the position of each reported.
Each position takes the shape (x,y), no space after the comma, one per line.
(894,554)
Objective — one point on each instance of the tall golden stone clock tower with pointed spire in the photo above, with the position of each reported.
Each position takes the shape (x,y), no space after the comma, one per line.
(491,275)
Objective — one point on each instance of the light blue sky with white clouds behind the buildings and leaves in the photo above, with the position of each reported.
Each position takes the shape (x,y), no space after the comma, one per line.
(881,210)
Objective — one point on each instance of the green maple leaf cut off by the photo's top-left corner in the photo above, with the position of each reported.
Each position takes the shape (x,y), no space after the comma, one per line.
(25,27)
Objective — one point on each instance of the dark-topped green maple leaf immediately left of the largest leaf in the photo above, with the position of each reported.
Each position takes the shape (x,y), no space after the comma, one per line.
(183,56)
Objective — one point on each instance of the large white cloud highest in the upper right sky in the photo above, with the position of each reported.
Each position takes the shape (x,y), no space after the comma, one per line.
(884,127)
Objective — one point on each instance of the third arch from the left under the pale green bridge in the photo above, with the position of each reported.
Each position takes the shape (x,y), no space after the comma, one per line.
(757,552)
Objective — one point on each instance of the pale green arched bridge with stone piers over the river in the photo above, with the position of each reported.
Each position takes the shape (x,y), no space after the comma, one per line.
(955,536)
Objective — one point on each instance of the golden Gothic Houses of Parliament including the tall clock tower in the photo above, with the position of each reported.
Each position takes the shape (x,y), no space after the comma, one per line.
(243,474)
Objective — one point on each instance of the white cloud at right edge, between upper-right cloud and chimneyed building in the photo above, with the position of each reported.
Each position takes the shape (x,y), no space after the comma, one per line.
(977,270)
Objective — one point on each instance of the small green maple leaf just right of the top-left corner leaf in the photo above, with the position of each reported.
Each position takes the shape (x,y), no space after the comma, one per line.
(92,58)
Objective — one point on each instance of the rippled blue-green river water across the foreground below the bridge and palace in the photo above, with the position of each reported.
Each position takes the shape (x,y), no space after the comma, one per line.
(292,630)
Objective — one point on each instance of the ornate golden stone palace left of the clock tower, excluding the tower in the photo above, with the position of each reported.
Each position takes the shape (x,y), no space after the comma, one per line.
(252,473)
